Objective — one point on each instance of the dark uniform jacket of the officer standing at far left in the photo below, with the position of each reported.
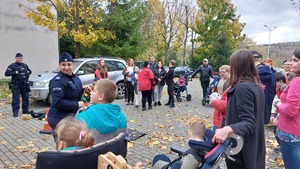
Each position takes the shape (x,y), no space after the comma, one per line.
(19,72)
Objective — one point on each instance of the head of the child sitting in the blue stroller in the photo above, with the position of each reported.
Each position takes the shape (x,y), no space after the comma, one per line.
(196,131)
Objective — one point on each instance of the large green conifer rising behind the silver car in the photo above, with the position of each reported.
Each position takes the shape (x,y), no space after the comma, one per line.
(124,20)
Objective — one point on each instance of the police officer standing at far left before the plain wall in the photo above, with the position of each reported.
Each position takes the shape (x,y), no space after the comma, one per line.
(19,73)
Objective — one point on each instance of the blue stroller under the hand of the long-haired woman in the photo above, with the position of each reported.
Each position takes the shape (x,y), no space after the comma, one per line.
(231,146)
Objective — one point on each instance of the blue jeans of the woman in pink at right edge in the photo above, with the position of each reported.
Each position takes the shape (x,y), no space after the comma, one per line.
(291,154)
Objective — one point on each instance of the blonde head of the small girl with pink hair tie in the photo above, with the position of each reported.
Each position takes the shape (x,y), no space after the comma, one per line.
(71,132)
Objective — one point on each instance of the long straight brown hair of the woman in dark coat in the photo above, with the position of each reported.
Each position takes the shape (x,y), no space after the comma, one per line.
(242,67)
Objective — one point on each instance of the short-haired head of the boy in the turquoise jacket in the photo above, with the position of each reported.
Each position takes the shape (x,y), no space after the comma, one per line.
(105,91)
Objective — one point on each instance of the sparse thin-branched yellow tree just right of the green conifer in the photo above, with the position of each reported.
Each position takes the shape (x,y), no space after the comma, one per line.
(166,26)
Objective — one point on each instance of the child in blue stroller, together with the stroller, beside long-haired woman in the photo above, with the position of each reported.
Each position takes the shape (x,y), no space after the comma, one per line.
(203,152)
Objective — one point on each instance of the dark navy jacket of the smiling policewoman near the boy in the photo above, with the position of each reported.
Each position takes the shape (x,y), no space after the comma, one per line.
(66,91)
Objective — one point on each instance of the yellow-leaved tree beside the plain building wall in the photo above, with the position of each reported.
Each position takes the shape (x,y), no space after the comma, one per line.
(75,20)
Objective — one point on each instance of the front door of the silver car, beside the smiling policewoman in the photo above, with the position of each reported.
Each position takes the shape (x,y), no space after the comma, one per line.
(86,72)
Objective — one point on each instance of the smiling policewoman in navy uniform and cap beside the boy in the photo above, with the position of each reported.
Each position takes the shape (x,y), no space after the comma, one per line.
(66,91)
